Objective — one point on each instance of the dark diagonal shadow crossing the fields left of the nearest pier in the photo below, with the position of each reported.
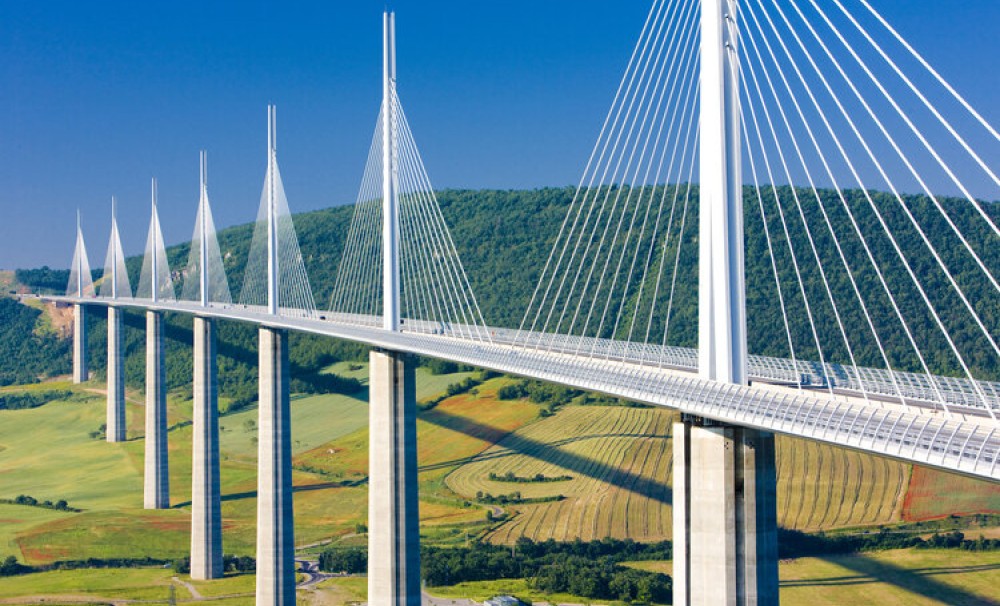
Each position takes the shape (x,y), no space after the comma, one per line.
(550,453)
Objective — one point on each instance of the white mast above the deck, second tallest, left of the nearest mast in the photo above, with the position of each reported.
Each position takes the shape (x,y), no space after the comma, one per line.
(390,201)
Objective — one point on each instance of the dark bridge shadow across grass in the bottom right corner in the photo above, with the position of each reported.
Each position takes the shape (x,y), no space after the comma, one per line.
(918,580)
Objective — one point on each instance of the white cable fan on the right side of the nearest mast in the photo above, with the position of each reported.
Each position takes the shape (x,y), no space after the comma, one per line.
(865,277)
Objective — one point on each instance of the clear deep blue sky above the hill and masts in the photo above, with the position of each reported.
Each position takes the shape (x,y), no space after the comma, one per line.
(97,97)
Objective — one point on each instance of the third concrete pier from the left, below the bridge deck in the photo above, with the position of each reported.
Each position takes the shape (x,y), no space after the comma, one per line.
(156,488)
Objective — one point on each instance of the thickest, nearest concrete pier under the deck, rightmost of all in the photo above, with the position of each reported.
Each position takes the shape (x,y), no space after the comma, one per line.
(725,515)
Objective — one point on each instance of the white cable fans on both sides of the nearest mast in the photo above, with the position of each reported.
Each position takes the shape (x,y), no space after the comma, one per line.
(860,288)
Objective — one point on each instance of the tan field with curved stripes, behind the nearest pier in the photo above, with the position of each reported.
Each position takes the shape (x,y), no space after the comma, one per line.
(621,459)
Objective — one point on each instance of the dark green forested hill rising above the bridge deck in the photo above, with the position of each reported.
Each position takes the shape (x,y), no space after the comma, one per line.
(504,238)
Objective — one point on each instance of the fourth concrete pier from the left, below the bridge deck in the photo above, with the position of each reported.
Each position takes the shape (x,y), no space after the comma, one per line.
(206,515)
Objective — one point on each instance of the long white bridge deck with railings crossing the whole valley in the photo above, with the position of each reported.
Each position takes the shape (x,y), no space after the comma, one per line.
(966,444)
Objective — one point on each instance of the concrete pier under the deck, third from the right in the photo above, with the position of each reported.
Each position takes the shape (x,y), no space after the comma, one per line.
(275,522)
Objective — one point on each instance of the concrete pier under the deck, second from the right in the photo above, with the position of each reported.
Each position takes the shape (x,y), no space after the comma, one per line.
(393,517)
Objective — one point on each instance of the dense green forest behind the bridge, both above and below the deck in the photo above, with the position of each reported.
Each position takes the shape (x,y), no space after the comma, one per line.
(504,238)
